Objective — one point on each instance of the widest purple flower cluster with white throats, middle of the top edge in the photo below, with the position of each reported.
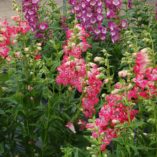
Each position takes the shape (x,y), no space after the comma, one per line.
(90,14)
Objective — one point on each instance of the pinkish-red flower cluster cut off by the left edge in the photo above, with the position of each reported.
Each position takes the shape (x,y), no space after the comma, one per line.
(8,34)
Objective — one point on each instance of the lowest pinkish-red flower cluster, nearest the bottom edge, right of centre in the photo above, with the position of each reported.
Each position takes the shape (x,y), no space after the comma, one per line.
(112,113)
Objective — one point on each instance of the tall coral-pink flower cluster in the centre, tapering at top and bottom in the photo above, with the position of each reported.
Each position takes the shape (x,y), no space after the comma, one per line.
(74,71)
